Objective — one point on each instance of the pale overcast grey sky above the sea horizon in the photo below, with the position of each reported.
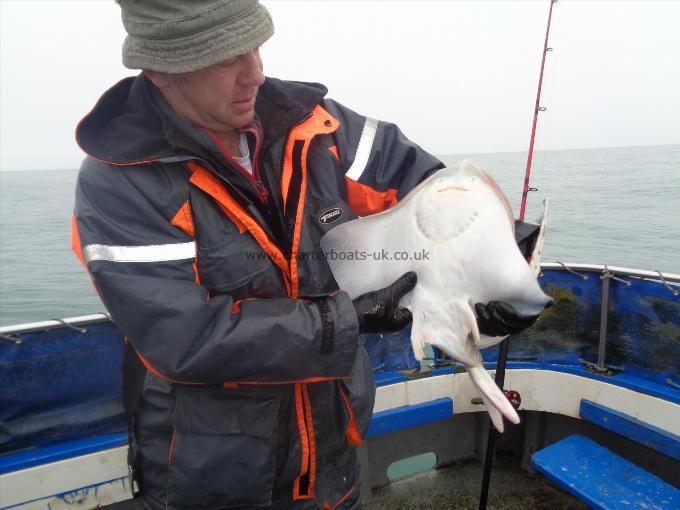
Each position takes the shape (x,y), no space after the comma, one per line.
(458,77)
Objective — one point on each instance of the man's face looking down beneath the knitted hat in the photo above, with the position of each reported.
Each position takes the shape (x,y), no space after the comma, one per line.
(220,97)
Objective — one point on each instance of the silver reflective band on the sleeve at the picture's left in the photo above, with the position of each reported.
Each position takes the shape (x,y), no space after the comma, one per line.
(150,253)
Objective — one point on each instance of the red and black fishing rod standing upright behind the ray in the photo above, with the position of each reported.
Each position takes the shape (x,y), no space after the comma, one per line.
(505,344)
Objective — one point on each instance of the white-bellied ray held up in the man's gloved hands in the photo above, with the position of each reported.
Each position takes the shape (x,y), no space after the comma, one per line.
(456,231)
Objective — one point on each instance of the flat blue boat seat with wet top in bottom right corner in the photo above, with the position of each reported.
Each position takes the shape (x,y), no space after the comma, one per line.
(601,478)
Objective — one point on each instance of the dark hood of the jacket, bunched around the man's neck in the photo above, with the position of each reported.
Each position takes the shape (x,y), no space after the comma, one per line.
(128,126)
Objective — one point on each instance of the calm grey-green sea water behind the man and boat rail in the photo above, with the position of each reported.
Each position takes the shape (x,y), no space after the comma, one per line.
(615,206)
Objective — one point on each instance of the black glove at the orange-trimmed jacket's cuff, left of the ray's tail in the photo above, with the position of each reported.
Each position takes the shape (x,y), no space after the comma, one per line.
(379,311)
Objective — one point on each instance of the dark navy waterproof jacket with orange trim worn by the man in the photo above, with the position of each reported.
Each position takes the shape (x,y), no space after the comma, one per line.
(256,389)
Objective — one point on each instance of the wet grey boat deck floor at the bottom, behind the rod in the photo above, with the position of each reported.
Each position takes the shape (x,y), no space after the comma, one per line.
(459,486)
